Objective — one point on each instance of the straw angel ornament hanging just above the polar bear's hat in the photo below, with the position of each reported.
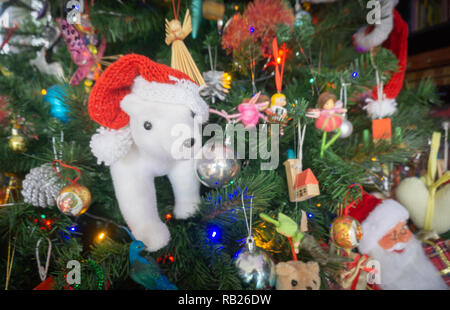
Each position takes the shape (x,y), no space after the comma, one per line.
(181,58)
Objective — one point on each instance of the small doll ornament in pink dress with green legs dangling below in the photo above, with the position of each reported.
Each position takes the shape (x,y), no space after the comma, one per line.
(328,118)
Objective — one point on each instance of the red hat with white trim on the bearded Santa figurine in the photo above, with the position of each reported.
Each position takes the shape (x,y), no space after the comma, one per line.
(377,217)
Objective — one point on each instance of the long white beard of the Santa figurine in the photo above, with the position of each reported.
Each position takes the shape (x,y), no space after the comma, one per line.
(409,270)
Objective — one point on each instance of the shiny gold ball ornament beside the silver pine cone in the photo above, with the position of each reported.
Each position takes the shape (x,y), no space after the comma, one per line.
(74,200)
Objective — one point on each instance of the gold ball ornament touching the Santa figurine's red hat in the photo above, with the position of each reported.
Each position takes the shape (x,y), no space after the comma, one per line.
(346,232)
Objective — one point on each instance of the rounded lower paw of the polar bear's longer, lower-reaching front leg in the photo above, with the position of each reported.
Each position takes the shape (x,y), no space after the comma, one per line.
(154,235)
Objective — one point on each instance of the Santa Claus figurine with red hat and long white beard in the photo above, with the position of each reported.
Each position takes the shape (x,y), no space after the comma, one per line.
(387,239)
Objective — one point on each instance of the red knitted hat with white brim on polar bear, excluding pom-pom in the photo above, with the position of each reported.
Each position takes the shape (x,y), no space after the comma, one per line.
(150,80)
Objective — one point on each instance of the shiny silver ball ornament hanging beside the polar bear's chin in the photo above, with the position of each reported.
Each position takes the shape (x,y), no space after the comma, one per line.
(218,165)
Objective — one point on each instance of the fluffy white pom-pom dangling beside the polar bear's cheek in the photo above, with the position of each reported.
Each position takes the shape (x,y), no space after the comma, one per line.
(109,145)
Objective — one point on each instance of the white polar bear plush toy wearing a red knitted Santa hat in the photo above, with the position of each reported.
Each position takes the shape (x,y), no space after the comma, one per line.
(150,114)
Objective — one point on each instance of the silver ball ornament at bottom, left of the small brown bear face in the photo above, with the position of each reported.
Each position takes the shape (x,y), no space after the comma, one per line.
(255,267)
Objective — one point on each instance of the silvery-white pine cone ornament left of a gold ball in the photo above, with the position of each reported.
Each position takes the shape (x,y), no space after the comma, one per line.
(41,186)
